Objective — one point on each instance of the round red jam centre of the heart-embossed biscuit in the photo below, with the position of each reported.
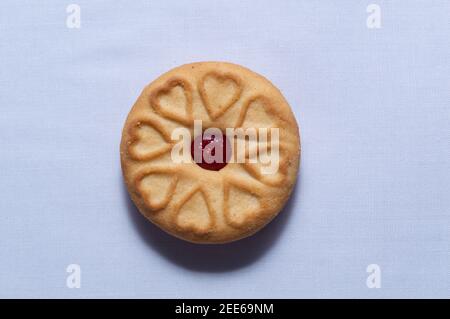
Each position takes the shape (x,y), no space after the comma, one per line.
(211,152)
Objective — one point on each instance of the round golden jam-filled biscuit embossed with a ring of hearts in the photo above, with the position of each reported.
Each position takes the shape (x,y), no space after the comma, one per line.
(210,152)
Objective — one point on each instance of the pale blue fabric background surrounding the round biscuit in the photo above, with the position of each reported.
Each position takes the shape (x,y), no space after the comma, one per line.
(374,111)
